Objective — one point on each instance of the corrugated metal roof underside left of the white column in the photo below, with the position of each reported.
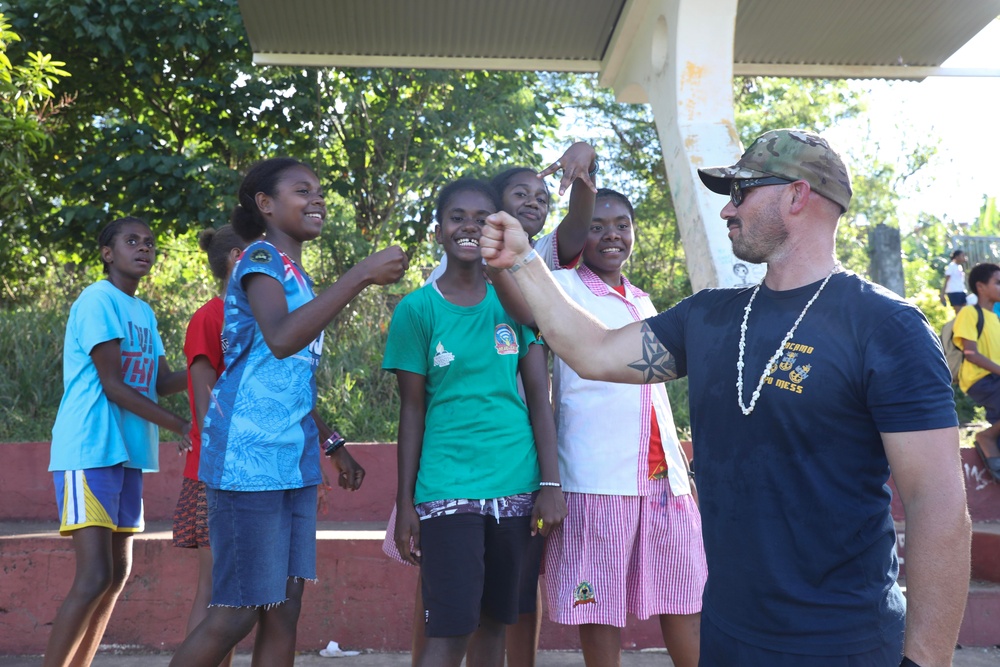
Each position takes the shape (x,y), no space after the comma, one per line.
(528,29)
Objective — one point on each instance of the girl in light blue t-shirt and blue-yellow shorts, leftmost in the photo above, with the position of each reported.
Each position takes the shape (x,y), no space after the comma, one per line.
(105,435)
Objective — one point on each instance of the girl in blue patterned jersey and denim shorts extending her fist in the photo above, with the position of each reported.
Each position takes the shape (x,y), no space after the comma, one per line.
(259,458)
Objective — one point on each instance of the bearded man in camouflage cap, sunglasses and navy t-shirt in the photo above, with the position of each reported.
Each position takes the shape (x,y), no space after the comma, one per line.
(804,390)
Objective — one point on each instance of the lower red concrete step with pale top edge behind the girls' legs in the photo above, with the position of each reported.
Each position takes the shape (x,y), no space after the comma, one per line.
(363,599)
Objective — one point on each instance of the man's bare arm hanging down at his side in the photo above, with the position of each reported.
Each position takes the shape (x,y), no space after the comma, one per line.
(928,474)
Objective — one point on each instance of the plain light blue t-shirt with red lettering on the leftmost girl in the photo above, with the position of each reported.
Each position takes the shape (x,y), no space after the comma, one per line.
(90,431)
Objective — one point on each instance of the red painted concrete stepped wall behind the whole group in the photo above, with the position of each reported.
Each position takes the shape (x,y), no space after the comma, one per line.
(363,599)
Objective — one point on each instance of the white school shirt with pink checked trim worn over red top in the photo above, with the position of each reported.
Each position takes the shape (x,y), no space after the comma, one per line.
(603,427)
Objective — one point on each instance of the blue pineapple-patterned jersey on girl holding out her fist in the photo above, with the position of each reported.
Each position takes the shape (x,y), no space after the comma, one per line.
(259,434)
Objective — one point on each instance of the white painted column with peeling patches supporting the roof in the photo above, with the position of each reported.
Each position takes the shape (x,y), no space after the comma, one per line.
(677,55)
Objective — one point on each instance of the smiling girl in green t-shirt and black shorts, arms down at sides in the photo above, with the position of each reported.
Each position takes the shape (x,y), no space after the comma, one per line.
(472,454)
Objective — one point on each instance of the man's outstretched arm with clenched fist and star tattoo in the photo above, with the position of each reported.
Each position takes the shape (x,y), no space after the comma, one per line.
(630,354)
